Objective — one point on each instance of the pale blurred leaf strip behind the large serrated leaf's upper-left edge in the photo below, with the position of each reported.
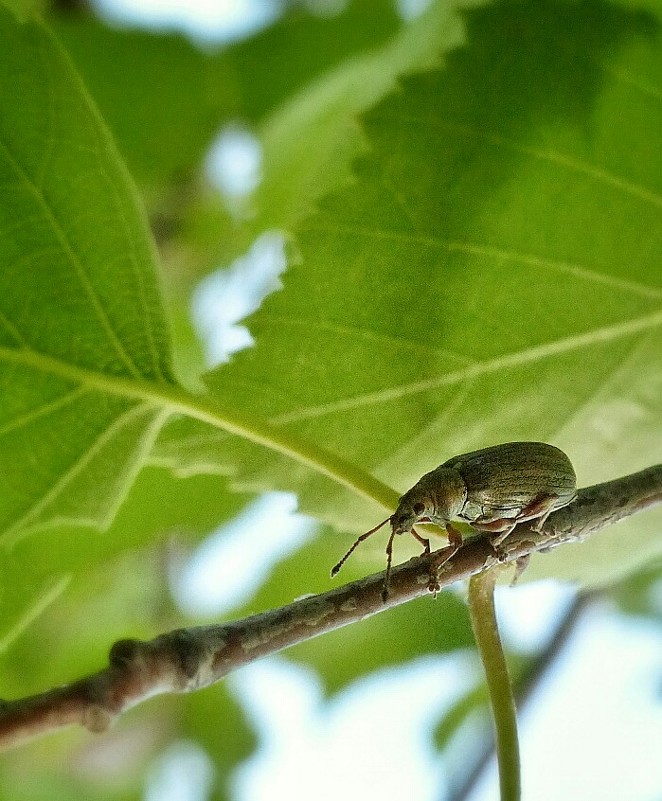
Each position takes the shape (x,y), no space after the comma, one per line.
(309,140)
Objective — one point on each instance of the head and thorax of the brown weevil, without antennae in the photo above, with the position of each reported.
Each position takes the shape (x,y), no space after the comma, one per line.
(438,497)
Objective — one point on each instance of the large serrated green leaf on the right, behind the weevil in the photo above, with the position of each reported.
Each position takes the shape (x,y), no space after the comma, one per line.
(492,274)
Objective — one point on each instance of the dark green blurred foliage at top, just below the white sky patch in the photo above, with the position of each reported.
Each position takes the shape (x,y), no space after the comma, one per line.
(165,99)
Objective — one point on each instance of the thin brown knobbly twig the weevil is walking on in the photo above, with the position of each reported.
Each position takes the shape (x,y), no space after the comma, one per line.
(189,659)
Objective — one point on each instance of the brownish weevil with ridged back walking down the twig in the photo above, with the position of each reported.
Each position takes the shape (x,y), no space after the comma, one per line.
(493,489)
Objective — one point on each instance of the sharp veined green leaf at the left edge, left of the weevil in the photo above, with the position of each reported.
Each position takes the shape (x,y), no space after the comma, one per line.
(78,298)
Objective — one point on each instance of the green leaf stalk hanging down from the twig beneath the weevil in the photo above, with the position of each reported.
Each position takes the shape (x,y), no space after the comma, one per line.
(486,632)
